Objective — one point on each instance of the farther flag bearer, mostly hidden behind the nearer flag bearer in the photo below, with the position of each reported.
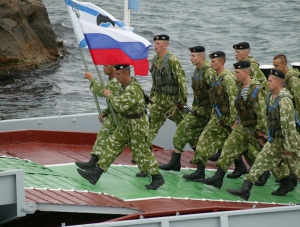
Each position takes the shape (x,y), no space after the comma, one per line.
(108,126)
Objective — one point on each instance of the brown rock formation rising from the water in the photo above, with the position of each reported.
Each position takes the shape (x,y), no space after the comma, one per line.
(27,40)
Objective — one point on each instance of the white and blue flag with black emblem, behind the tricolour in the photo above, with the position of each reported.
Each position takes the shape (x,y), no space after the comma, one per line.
(92,14)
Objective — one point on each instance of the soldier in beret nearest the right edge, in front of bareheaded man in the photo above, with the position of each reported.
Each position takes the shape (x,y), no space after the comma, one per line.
(283,141)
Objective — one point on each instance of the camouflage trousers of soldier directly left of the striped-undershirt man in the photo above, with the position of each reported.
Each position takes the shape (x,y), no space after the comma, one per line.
(211,139)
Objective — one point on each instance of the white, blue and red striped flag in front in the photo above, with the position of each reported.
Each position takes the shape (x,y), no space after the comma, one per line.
(116,46)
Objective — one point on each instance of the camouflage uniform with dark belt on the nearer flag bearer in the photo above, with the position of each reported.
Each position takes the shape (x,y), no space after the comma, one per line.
(132,129)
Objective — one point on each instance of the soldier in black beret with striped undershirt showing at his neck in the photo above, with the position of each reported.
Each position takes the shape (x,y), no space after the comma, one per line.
(252,127)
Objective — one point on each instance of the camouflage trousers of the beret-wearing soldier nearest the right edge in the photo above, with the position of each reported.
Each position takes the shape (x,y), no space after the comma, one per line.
(270,158)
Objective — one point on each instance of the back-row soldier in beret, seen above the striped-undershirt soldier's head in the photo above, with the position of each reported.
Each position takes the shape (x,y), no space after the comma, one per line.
(241,53)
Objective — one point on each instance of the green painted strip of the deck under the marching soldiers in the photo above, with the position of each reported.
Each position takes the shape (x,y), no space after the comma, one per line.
(120,181)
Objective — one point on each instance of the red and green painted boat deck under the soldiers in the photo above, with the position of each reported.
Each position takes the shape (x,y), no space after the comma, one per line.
(52,182)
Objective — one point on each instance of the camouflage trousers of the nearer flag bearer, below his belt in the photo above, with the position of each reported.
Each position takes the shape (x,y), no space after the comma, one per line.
(133,132)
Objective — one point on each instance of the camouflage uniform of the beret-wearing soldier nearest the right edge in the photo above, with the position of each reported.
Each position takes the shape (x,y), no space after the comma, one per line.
(274,151)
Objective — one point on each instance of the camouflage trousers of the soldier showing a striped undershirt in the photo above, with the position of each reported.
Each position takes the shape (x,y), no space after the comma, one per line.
(235,145)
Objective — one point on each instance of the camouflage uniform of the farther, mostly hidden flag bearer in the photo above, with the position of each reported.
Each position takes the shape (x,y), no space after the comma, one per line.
(108,126)
